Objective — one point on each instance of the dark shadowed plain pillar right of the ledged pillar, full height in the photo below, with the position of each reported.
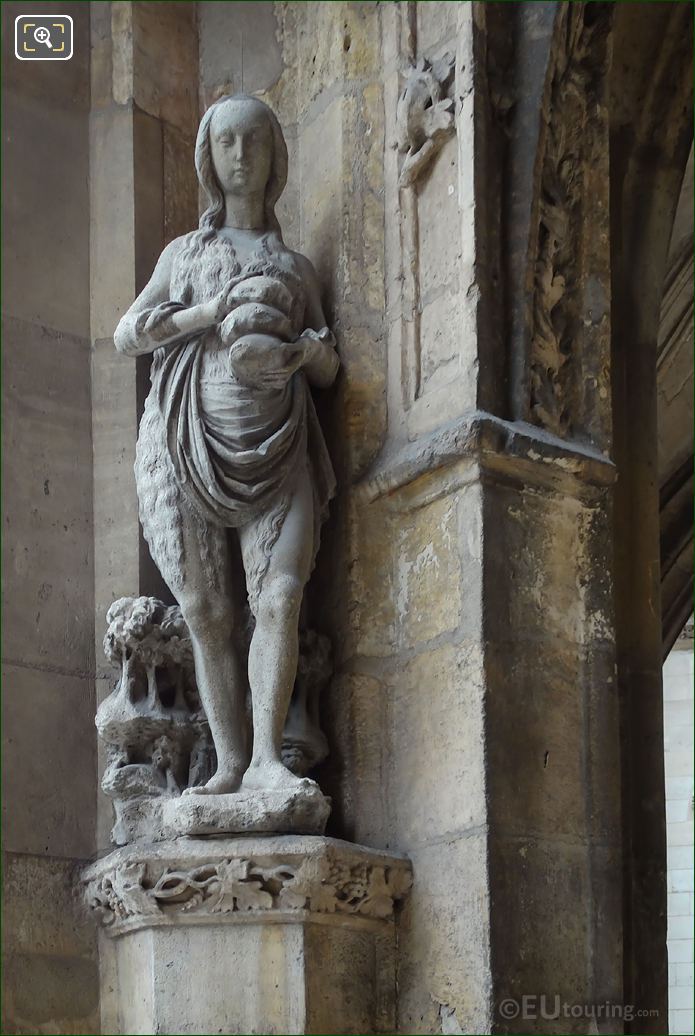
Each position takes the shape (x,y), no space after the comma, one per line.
(650,147)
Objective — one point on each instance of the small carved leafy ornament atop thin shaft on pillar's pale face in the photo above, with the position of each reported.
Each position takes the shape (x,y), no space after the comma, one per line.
(425,116)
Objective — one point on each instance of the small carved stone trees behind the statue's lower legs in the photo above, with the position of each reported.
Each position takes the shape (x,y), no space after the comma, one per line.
(154,727)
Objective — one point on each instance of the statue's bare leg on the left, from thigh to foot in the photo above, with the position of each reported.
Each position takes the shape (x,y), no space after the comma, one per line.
(209,613)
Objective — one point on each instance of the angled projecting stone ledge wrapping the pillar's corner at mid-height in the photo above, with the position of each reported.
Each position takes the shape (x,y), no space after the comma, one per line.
(505,450)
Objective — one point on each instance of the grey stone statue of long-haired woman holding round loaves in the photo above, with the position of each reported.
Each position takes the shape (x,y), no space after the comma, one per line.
(229,440)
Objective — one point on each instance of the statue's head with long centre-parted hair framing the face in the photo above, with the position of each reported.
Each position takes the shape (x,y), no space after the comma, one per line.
(241,150)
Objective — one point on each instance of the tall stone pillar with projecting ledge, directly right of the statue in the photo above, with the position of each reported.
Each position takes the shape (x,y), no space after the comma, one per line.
(477,668)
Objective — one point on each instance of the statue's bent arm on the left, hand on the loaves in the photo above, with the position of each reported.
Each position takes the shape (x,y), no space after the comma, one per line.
(154,321)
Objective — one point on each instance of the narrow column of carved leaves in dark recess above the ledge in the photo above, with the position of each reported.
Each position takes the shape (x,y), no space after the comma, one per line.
(575,117)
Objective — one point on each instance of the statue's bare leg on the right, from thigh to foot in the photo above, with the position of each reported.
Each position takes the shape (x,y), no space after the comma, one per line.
(274,653)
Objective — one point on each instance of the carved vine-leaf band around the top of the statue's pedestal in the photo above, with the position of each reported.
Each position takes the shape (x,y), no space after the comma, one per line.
(135,891)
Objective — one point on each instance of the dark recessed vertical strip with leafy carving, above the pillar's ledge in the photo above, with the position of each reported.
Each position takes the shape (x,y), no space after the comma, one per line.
(569,319)
